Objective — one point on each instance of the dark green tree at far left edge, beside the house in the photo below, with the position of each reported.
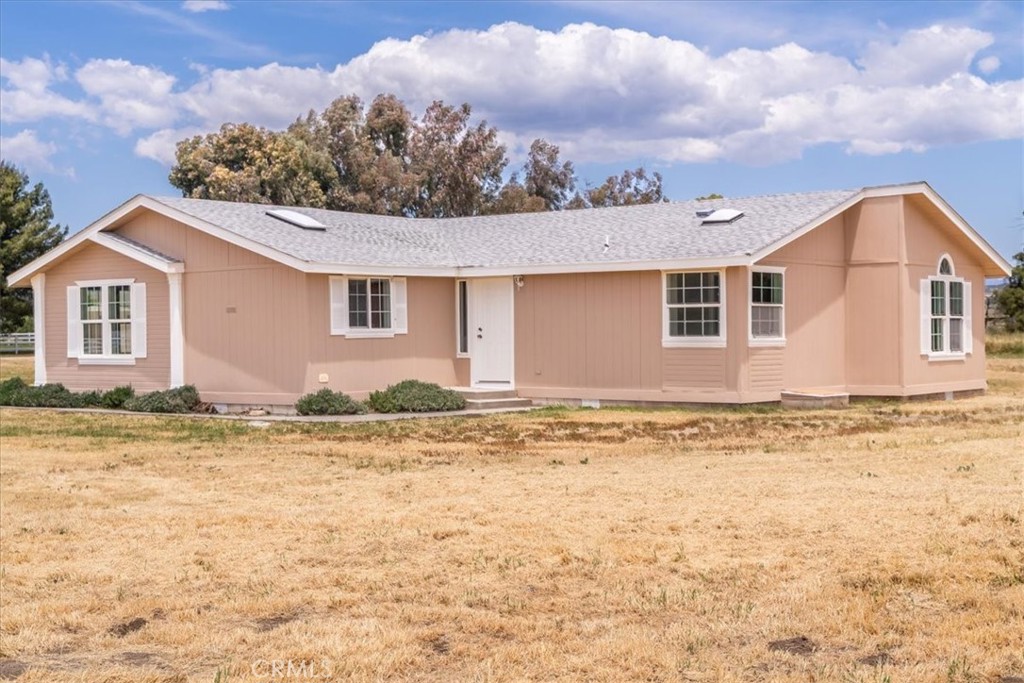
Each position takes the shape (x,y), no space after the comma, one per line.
(28,232)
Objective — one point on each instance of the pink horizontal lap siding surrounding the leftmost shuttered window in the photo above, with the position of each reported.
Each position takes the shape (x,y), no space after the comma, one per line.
(96,263)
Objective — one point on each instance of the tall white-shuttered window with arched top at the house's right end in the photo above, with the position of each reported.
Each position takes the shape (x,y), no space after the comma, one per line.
(946,314)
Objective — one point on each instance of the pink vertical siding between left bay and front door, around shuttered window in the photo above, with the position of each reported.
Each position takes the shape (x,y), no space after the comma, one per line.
(259,332)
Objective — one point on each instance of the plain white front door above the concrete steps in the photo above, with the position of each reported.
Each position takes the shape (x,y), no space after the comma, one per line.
(491,332)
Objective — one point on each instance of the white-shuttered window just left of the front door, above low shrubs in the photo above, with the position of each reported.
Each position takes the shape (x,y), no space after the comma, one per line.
(368,307)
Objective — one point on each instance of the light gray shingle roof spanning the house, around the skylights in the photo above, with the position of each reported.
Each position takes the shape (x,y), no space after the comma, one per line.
(649,233)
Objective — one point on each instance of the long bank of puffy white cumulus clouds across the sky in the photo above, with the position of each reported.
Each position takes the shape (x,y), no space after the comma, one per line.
(603,95)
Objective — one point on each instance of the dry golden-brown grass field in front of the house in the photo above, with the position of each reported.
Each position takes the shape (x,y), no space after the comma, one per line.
(612,545)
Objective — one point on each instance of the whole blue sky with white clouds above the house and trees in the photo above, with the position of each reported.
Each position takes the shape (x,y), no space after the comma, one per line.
(739,99)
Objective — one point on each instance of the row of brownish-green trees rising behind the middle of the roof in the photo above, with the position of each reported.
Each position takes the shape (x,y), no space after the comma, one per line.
(379,159)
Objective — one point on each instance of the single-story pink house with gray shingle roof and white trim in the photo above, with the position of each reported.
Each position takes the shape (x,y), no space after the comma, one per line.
(874,292)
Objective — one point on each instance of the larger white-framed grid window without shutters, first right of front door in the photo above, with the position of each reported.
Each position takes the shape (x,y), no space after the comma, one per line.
(694,304)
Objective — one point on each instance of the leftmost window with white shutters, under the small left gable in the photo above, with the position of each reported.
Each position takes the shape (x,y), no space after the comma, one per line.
(107,322)
